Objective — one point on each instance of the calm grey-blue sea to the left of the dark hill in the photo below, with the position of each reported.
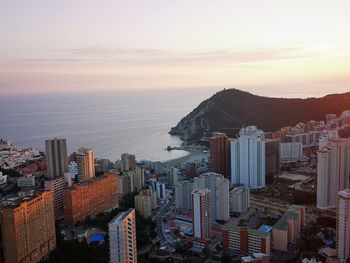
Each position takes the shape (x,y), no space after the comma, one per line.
(111,123)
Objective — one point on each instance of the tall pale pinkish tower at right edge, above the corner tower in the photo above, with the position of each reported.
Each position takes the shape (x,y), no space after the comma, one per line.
(332,173)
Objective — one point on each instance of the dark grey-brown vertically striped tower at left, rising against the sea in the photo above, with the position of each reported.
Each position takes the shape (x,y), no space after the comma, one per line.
(56,157)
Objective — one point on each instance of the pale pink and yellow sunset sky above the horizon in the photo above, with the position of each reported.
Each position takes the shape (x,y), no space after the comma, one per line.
(293,47)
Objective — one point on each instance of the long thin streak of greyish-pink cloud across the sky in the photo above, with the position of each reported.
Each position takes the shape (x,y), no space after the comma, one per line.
(155,57)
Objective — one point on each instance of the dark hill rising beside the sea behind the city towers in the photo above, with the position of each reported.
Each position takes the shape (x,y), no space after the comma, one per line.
(230,109)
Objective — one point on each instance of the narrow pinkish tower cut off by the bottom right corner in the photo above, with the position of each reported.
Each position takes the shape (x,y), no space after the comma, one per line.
(343,225)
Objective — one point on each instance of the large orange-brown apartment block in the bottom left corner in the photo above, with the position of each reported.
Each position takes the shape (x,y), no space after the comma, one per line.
(28,229)
